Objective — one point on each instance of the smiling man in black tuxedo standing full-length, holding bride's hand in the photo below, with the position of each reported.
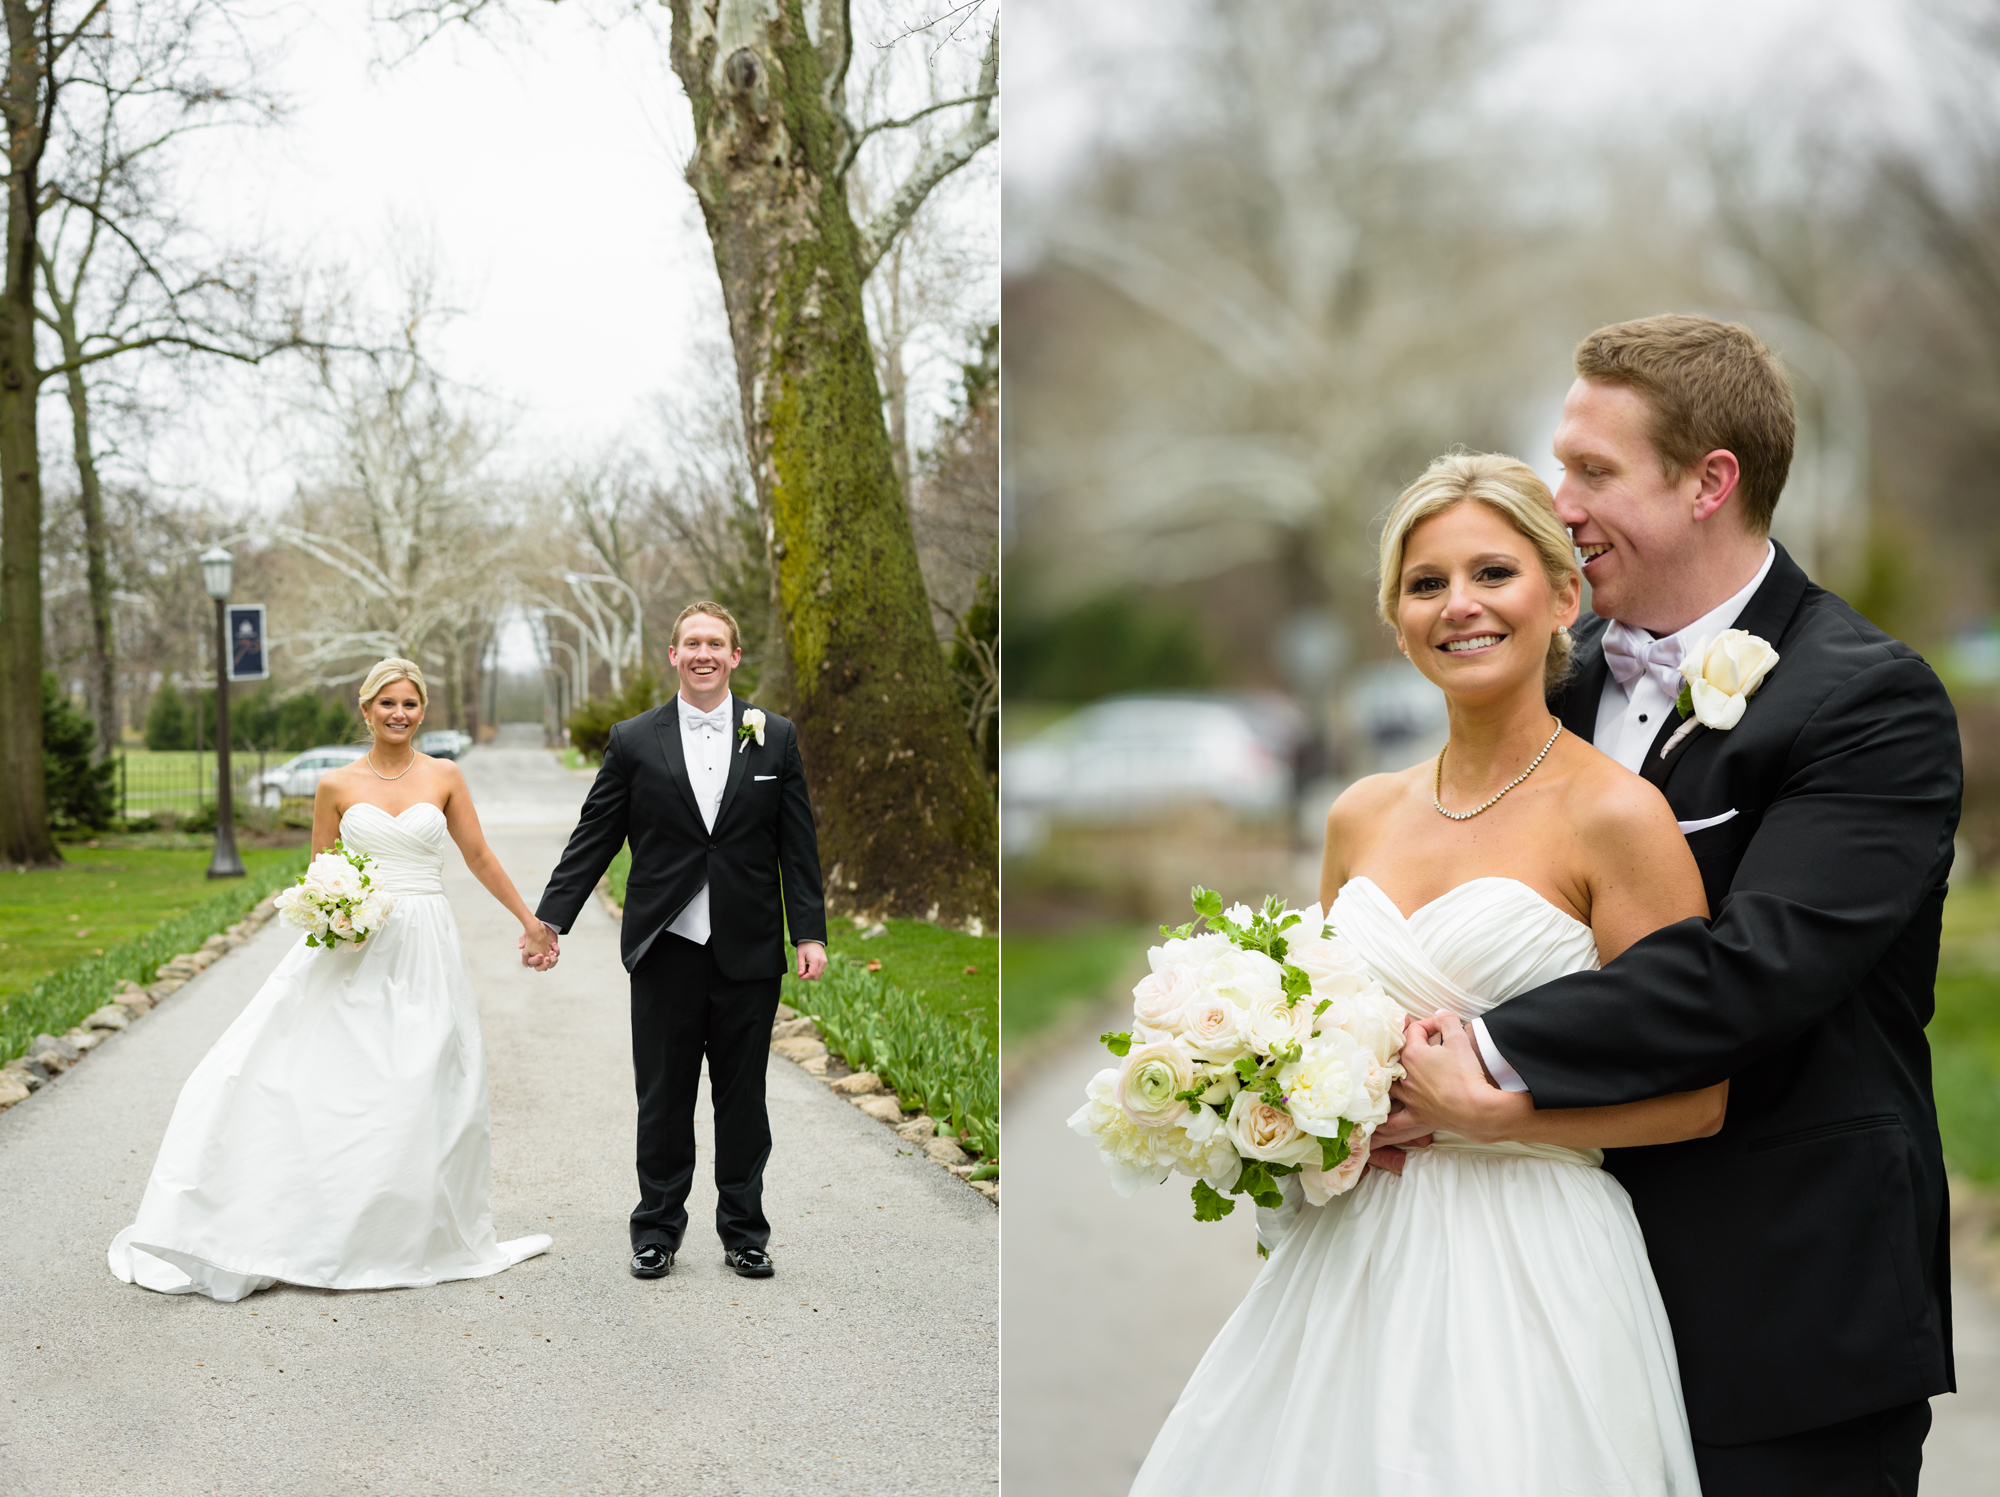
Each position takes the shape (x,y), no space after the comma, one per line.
(711,794)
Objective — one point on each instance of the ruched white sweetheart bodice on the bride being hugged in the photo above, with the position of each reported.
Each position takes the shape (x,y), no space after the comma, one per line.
(1467,952)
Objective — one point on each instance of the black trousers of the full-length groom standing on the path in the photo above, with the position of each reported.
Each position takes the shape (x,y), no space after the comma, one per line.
(685,1012)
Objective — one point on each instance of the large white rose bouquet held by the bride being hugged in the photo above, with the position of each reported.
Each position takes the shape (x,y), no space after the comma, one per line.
(1259,1048)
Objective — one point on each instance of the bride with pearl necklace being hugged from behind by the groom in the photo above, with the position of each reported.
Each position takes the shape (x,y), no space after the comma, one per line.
(1485,1322)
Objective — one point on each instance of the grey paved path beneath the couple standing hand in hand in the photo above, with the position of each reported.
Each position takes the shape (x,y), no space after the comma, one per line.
(867,1366)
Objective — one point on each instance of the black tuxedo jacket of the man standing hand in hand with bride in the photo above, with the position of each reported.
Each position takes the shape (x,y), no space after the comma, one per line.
(761,864)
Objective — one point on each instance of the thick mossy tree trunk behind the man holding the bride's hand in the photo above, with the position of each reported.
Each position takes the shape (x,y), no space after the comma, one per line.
(907,824)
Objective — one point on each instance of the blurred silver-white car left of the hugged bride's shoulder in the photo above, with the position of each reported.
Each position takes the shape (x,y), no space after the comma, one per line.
(1133,756)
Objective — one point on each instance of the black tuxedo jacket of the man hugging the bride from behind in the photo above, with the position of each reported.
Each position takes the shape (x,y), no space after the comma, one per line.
(1803,1250)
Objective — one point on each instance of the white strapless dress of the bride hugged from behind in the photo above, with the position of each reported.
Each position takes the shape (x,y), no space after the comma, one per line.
(1481,1326)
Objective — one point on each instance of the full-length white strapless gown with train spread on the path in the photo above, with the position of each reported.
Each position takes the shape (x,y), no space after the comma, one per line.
(337,1134)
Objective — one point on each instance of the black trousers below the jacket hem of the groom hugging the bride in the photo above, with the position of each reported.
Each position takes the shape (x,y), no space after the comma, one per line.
(1875,1456)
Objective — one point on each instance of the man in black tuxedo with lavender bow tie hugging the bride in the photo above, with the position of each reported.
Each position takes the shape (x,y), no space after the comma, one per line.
(1801,1252)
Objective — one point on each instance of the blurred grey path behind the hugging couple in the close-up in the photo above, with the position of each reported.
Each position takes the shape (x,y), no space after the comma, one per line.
(1119,1300)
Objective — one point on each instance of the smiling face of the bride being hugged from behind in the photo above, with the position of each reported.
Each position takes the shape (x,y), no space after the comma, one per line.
(1475,607)
